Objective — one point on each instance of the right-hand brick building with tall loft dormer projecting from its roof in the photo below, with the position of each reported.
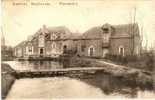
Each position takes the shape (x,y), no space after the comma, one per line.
(110,39)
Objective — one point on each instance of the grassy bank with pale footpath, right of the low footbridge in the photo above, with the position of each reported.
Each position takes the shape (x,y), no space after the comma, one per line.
(140,77)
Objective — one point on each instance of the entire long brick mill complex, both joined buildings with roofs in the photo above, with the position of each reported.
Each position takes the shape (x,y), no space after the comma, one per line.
(96,42)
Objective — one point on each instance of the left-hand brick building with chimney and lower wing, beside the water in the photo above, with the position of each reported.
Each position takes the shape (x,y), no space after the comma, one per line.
(47,41)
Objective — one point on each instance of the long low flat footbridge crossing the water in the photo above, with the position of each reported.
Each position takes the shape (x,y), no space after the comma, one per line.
(71,72)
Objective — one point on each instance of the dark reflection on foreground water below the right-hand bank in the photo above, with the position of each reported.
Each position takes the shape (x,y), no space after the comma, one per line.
(110,84)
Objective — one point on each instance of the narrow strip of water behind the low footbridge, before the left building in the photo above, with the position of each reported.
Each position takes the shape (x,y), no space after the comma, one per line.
(34,65)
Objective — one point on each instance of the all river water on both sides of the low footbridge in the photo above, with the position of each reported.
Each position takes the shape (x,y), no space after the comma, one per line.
(98,86)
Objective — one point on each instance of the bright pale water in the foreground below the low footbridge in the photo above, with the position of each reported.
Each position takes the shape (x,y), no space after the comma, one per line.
(62,87)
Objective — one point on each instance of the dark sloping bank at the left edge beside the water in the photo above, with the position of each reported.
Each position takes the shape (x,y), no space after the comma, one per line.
(7,79)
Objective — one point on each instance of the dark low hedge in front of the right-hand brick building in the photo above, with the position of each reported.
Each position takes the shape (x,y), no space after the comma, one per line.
(144,61)
